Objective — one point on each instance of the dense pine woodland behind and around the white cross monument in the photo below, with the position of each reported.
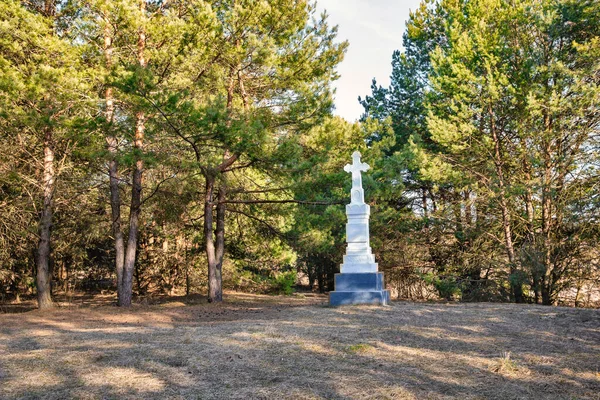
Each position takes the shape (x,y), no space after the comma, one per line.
(171,146)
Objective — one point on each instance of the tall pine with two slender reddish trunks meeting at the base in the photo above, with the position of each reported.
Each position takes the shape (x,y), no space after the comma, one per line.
(137,46)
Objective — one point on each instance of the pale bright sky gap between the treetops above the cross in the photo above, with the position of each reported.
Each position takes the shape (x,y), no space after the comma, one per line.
(374,30)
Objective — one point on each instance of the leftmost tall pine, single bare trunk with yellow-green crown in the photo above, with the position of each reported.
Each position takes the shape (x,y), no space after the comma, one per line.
(41,95)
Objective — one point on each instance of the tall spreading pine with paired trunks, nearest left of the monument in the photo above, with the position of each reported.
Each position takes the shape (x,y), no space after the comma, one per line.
(264,81)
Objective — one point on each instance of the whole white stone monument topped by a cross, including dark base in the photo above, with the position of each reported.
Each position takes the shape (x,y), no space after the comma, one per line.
(358,281)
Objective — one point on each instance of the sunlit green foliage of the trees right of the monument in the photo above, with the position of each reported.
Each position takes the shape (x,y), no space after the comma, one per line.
(487,103)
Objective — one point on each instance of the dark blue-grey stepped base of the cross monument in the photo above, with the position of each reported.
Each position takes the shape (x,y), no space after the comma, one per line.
(359,288)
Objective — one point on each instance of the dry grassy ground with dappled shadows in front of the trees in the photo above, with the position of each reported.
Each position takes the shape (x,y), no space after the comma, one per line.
(297,347)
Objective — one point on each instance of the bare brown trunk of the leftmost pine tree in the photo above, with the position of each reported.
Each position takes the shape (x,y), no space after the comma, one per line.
(44,273)
